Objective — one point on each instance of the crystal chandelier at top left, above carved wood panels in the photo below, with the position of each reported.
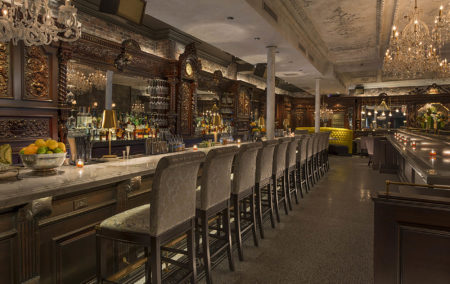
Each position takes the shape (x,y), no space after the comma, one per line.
(32,21)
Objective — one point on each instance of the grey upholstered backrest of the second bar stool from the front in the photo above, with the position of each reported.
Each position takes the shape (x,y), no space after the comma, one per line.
(216,176)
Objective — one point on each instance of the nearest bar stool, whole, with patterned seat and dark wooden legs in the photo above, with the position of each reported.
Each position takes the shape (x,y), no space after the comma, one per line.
(170,214)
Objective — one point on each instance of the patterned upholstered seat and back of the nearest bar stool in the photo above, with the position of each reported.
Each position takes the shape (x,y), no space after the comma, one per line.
(172,198)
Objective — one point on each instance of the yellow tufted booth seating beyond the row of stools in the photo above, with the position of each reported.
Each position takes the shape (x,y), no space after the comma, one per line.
(339,138)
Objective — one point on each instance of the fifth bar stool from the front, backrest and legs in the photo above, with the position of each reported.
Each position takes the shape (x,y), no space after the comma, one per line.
(278,171)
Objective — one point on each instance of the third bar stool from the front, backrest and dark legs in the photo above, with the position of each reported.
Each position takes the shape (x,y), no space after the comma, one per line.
(244,171)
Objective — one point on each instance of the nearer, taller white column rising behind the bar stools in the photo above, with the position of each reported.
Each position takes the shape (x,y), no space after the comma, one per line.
(270,109)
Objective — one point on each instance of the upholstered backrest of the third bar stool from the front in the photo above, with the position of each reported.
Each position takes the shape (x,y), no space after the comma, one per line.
(244,169)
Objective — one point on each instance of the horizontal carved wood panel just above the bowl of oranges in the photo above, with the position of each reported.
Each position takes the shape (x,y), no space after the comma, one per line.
(17,128)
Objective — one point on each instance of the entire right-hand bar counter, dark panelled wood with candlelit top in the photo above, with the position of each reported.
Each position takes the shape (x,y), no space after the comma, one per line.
(412,222)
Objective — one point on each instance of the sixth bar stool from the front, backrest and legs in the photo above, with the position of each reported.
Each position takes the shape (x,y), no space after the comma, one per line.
(290,172)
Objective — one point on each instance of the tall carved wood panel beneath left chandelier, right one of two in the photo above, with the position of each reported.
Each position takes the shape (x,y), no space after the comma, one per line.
(37,74)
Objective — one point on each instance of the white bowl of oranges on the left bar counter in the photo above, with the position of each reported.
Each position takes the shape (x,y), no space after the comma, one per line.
(43,156)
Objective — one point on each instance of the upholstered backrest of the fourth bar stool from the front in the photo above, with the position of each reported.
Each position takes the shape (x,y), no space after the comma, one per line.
(264,161)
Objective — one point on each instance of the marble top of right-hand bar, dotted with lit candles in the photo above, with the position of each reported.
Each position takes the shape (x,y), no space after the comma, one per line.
(433,169)
